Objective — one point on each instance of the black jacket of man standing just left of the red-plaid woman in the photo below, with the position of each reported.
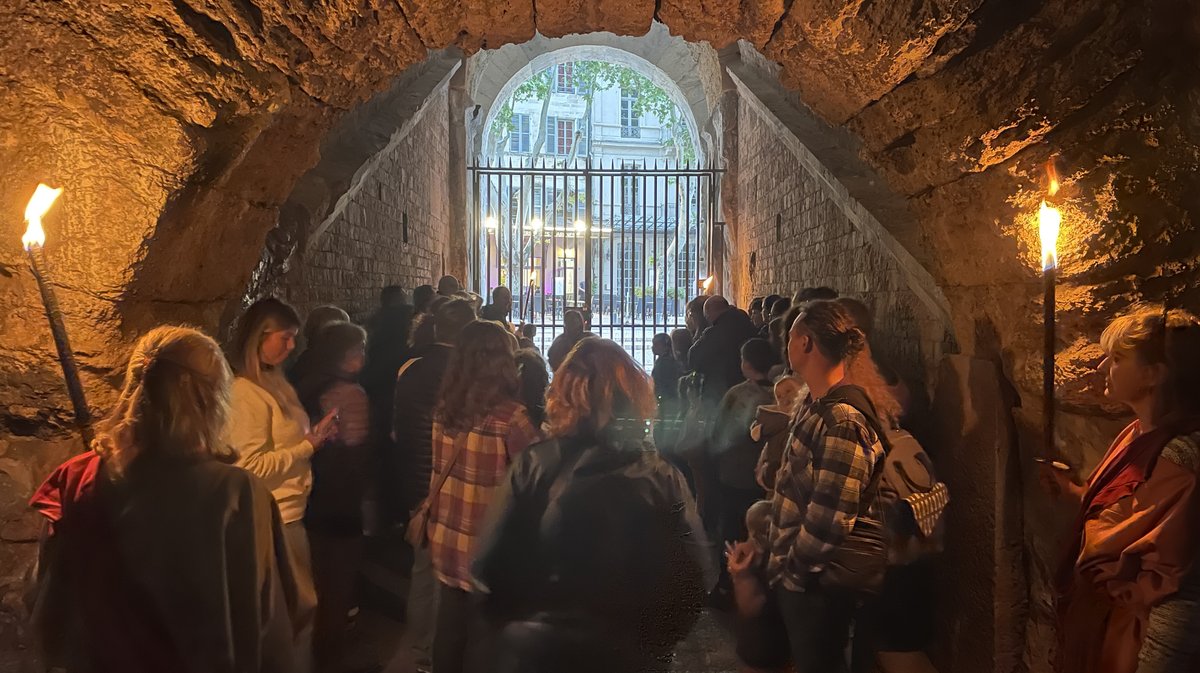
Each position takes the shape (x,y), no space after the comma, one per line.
(412,422)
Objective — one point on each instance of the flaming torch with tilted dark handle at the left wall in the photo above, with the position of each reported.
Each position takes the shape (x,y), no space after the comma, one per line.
(33,241)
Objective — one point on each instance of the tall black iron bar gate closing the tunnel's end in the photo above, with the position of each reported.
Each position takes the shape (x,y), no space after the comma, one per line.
(626,243)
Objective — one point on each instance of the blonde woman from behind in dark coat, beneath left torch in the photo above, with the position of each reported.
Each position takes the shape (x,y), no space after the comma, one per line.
(159,555)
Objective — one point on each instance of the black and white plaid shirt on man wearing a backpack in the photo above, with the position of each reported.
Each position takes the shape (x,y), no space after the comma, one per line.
(818,491)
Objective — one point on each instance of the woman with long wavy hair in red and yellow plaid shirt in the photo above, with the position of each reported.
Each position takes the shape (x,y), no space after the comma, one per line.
(479,428)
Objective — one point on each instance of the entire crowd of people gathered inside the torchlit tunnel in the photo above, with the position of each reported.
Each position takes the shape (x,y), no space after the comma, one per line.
(578,515)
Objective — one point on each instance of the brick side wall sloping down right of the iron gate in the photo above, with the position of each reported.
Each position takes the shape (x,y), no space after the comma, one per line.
(795,231)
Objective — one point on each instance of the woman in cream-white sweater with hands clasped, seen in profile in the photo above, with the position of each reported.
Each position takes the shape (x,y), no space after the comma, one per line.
(272,435)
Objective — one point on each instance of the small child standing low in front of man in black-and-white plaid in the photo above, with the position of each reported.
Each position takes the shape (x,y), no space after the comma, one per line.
(759,628)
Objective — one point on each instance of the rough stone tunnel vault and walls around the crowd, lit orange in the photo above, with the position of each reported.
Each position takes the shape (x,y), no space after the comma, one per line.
(217,153)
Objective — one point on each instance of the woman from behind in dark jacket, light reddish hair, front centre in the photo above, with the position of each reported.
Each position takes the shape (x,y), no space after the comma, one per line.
(595,560)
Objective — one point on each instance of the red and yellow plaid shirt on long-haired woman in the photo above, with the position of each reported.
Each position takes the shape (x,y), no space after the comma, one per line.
(457,516)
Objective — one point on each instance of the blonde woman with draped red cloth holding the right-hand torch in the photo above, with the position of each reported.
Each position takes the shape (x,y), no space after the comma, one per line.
(1126,578)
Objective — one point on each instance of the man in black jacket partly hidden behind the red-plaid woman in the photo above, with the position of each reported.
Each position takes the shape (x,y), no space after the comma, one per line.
(417,396)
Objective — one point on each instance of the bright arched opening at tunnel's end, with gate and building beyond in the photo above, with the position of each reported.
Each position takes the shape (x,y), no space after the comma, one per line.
(592,194)
